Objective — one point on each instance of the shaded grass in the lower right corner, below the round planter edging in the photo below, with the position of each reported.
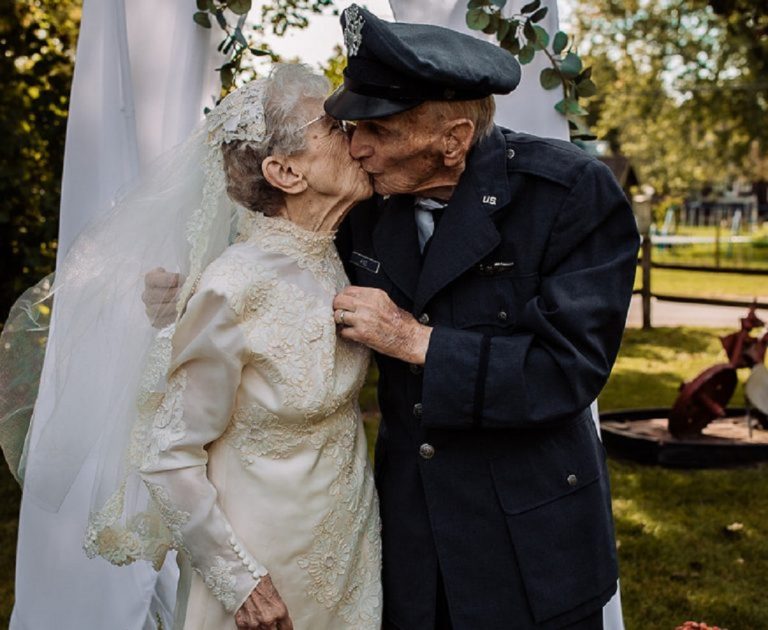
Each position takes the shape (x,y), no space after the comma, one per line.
(678,560)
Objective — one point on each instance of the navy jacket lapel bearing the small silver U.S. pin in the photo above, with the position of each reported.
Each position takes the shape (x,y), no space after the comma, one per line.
(466,233)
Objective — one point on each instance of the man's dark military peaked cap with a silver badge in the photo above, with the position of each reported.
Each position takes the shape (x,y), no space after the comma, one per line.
(393,67)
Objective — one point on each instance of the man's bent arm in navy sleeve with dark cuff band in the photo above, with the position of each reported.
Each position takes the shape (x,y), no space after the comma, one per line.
(566,338)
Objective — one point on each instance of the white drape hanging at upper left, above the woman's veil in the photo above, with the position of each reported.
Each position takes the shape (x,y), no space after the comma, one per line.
(144,73)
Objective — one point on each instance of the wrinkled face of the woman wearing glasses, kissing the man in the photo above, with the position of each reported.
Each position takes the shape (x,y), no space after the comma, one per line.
(326,163)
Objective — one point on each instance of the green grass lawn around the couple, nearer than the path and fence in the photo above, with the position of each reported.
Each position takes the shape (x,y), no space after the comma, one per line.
(678,559)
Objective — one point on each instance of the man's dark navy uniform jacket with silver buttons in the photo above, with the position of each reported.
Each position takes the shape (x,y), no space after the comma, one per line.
(488,465)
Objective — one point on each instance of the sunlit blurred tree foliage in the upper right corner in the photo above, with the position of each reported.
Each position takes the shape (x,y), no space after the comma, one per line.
(685,93)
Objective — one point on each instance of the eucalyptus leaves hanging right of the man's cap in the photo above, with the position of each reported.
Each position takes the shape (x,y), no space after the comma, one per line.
(522,36)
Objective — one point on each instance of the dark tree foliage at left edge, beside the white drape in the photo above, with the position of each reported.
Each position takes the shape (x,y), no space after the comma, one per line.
(38,39)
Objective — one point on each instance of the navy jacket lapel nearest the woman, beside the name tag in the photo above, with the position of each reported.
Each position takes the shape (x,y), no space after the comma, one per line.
(396,244)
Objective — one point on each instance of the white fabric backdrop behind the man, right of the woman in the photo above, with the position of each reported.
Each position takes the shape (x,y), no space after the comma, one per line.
(529,108)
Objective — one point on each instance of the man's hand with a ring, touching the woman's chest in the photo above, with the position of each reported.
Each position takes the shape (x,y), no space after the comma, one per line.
(369,317)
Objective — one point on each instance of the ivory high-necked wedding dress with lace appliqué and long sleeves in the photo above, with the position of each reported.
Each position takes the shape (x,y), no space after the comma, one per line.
(259,373)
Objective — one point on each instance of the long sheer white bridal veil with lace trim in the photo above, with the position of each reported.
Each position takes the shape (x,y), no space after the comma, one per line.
(103,356)
